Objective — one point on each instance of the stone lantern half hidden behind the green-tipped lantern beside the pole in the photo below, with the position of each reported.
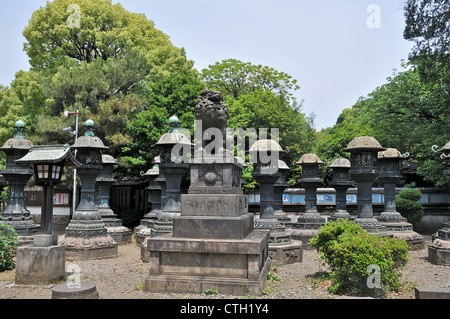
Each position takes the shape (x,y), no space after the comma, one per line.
(103,182)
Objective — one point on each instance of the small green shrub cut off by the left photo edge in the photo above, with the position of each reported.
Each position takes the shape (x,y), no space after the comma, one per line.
(8,246)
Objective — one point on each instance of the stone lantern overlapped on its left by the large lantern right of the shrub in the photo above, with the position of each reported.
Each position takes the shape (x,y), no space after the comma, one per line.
(390,172)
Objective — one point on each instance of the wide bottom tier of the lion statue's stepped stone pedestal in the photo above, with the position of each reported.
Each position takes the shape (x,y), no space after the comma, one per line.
(230,266)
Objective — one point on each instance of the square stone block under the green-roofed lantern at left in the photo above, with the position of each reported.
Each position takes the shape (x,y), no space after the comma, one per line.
(40,265)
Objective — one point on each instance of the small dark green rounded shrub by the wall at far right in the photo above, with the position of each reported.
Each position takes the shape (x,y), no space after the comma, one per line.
(409,208)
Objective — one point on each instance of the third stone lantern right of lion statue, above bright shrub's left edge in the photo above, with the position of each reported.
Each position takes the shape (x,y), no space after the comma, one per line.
(310,221)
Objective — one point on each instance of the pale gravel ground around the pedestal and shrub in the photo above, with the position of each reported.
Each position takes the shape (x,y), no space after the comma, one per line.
(123,278)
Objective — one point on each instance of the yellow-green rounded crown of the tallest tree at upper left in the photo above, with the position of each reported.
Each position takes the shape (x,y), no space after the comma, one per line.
(105,30)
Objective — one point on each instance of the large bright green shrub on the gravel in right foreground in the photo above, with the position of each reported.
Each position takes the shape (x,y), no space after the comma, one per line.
(349,251)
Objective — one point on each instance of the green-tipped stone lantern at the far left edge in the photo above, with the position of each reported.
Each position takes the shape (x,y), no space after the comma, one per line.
(17,175)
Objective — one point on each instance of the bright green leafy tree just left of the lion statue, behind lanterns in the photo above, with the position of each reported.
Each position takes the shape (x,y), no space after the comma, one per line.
(176,95)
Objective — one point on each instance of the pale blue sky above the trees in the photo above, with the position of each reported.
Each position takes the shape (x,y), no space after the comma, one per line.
(338,50)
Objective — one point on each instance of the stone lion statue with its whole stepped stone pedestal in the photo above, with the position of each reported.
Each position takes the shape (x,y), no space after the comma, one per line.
(214,244)
